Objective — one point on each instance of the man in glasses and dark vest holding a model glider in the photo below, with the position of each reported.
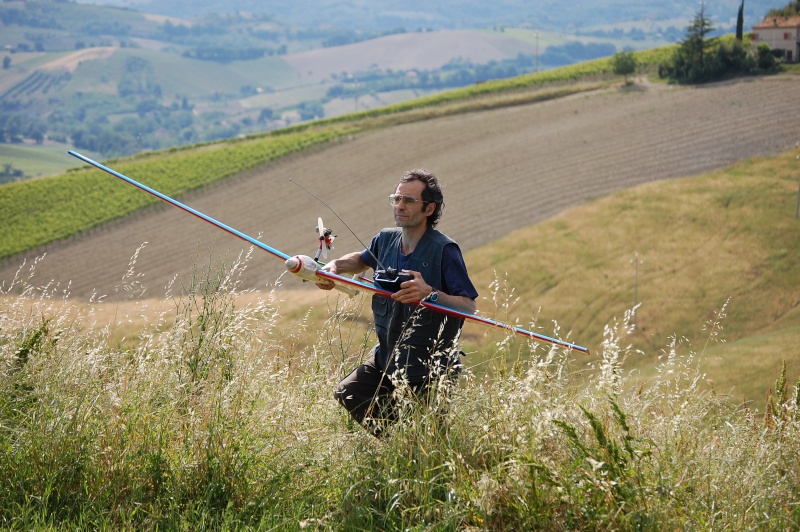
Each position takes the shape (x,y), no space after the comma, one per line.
(416,346)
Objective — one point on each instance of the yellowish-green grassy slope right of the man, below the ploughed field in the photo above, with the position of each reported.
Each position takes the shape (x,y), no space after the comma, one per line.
(717,246)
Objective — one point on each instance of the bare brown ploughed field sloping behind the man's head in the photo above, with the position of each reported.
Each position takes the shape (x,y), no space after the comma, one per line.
(500,169)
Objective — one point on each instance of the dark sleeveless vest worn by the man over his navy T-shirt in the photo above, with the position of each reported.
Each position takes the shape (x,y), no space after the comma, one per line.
(412,339)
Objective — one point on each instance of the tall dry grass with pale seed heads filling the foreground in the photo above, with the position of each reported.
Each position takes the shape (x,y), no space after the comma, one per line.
(220,415)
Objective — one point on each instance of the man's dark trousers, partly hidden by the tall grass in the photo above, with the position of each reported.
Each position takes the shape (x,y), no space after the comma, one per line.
(368,394)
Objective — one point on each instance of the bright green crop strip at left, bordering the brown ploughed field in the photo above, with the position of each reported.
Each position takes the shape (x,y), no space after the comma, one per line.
(41,211)
